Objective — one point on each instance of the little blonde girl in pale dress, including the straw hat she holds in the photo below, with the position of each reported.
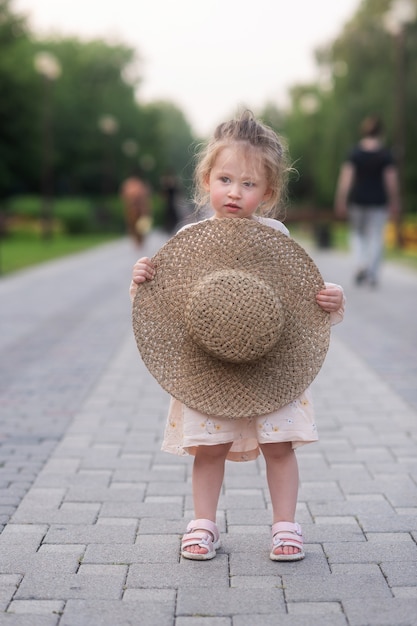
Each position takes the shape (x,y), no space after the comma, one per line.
(233,319)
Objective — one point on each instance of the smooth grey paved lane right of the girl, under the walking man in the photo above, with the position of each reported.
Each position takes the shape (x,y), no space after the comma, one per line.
(380,324)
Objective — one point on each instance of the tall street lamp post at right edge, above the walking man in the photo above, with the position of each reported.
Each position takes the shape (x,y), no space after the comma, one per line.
(400,14)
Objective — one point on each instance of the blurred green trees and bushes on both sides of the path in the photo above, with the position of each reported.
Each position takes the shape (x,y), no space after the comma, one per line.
(72,125)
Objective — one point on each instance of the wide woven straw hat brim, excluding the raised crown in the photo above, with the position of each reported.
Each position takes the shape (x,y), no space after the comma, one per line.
(201,381)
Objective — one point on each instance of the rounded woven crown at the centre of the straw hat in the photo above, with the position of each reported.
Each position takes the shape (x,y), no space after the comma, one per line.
(234,316)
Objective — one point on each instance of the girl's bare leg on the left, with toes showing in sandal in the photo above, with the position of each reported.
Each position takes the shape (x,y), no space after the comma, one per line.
(208,474)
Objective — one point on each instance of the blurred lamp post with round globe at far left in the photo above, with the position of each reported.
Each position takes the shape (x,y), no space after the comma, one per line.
(49,68)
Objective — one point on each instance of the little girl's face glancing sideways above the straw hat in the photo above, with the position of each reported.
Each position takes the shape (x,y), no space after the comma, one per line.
(237,183)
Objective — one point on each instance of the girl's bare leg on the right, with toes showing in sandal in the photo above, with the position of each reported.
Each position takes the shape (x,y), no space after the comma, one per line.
(282,477)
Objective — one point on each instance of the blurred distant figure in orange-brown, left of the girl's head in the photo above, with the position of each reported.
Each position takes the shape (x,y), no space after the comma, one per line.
(136,197)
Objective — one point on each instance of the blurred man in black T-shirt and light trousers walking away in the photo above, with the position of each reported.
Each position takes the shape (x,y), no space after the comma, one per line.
(368,192)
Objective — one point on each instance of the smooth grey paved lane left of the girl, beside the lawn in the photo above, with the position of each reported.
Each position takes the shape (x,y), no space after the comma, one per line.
(61,324)
